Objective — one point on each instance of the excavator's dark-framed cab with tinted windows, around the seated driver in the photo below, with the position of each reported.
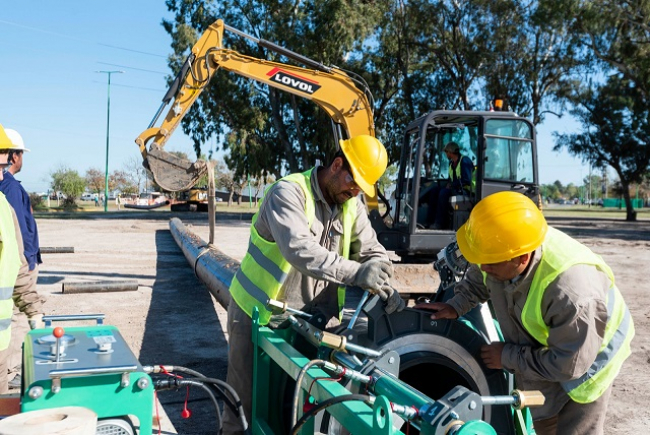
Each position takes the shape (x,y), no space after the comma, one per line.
(500,144)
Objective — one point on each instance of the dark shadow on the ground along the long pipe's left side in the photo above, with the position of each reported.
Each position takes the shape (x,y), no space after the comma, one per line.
(182,328)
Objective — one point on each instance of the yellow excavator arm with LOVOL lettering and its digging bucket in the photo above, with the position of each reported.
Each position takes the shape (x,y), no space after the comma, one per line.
(330,88)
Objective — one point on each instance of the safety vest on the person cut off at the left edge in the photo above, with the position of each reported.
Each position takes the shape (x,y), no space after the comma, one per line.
(9,267)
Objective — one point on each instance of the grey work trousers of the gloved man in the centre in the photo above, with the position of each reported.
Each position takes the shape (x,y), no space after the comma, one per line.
(240,366)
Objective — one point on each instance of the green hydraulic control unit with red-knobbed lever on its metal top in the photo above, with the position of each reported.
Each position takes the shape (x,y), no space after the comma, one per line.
(89,366)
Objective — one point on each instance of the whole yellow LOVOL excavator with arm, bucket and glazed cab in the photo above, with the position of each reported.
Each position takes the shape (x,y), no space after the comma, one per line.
(501,144)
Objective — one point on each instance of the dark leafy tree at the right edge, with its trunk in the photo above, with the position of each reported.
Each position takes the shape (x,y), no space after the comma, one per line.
(615,123)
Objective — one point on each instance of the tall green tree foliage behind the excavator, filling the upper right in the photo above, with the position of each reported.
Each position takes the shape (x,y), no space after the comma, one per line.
(420,56)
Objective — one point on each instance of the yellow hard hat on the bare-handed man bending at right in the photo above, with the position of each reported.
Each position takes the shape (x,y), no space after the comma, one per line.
(502,226)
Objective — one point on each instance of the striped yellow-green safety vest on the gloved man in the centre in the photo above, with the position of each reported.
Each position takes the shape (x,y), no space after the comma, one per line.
(263,269)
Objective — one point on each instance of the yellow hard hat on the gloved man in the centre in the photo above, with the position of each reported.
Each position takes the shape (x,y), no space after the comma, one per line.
(367,158)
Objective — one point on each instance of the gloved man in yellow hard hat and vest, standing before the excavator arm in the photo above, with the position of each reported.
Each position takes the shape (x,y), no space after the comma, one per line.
(310,239)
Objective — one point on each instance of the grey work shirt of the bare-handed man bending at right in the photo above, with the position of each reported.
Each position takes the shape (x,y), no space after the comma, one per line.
(575,311)
